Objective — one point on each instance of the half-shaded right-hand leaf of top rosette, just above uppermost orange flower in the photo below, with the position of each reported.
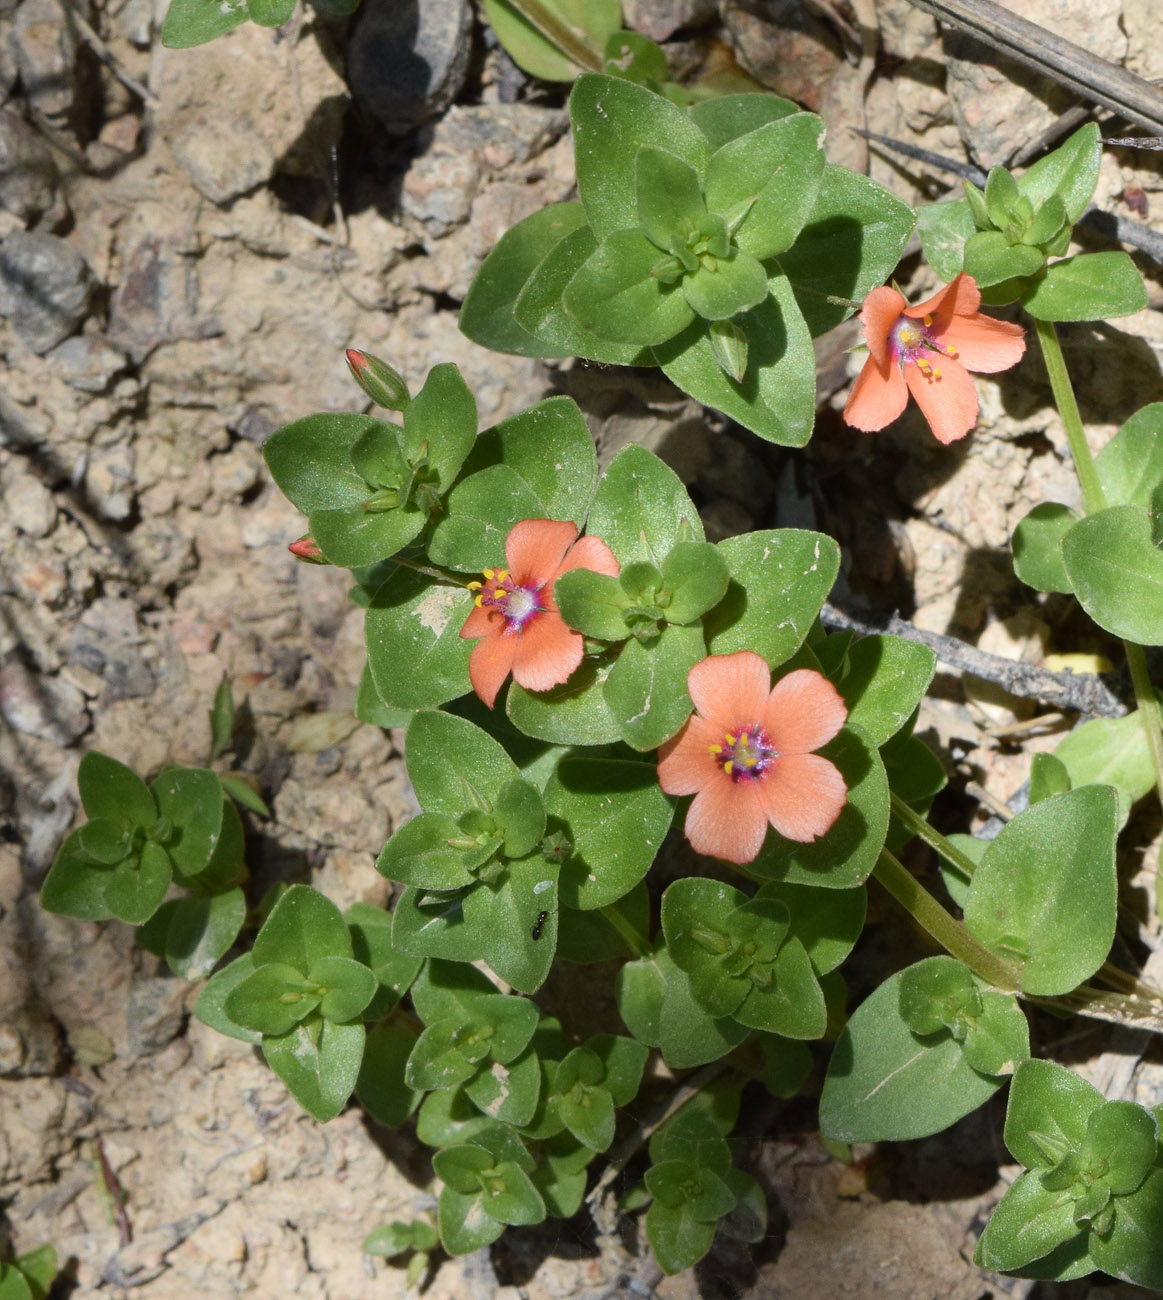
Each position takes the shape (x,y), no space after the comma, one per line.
(853,240)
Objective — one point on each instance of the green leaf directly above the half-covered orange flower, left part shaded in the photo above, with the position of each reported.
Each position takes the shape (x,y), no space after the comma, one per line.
(550,448)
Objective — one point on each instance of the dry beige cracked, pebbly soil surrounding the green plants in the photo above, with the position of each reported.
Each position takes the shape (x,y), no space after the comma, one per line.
(189,241)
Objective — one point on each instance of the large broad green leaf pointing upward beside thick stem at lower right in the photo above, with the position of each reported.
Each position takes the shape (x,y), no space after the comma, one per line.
(1045,894)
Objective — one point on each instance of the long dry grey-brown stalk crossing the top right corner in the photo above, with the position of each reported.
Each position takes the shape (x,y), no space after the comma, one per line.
(1093,79)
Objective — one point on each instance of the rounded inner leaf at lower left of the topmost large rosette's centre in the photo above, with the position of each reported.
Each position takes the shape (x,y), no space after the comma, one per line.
(619,297)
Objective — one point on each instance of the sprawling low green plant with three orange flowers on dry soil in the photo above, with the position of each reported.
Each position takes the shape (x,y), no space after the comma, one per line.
(580,671)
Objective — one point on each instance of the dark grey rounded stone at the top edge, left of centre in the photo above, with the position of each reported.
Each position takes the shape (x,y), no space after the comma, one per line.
(407,59)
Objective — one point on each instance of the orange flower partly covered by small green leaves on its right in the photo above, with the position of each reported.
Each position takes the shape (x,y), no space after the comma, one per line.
(515,617)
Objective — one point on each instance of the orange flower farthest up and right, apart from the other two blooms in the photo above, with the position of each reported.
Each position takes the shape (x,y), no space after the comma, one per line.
(906,344)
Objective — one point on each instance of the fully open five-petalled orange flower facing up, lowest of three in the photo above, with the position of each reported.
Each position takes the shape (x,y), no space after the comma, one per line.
(747,756)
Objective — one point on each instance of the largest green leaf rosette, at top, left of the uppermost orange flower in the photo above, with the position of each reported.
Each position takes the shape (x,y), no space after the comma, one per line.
(709,241)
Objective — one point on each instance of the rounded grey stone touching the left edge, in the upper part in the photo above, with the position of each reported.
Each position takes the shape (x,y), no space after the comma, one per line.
(45,288)
